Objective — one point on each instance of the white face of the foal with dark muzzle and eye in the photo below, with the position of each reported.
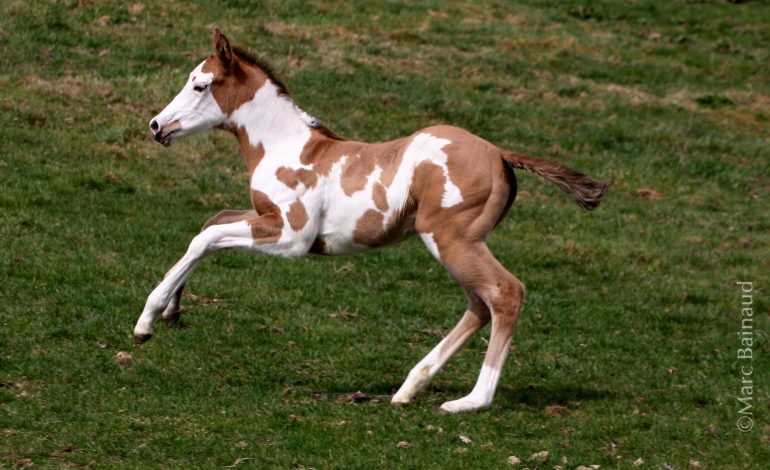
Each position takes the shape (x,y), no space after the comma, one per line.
(194,109)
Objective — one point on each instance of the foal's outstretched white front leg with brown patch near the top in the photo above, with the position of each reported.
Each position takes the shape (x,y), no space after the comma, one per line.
(263,234)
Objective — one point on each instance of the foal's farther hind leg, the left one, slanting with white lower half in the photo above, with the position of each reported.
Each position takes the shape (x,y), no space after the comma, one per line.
(420,376)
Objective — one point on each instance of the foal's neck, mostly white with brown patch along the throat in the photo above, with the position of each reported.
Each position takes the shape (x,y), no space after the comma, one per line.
(270,124)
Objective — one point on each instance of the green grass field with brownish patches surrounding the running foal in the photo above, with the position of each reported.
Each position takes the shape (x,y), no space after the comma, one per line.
(627,349)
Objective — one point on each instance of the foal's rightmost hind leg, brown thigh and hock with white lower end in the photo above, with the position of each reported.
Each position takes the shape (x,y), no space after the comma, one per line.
(478,271)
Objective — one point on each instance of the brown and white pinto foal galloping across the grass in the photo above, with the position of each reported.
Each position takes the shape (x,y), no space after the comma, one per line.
(315,192)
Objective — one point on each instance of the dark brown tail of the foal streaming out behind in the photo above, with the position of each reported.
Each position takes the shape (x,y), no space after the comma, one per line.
(587,192)
